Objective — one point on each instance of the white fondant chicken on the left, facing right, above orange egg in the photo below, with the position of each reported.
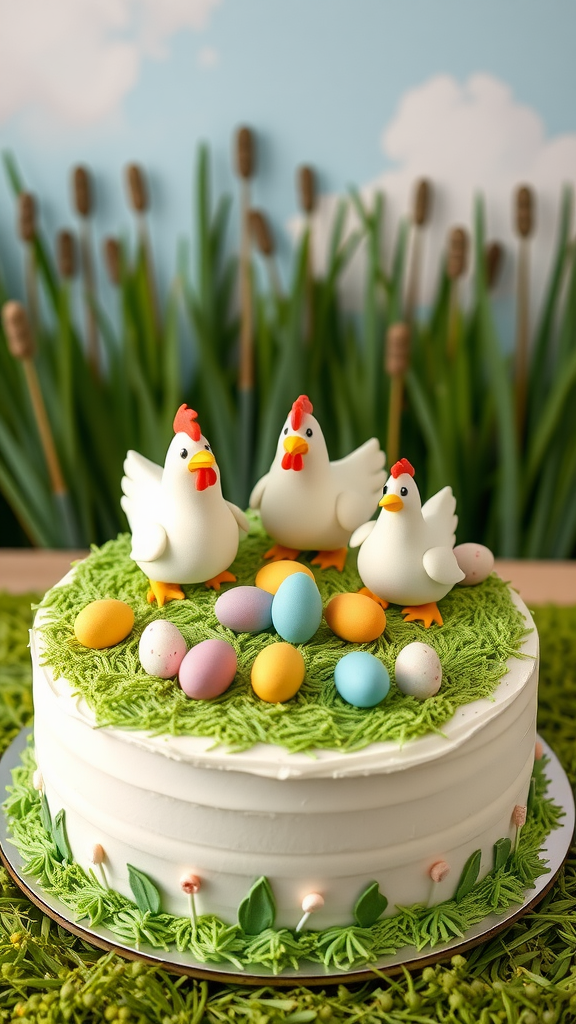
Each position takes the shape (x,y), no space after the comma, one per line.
(184,531)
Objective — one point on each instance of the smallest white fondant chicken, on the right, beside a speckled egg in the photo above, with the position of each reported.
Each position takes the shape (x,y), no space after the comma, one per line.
(406,556)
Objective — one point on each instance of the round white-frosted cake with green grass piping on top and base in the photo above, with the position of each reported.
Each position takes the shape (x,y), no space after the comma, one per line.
(272,835)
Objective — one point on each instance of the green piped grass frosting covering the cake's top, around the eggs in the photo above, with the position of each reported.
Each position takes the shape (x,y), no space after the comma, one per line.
(482,629)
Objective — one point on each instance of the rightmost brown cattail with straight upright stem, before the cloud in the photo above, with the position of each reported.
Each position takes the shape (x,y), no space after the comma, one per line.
(524,227)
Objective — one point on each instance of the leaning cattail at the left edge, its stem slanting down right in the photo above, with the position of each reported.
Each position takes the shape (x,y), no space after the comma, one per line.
(21,345)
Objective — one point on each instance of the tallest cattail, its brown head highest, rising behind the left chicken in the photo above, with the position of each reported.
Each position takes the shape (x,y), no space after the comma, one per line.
(245,165)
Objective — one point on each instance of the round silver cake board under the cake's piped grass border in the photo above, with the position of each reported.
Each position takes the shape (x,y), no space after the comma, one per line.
(555,850)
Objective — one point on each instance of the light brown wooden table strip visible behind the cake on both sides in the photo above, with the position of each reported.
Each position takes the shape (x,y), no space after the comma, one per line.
(538,582)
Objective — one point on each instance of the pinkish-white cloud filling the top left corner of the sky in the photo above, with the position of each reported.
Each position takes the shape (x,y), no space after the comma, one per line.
(76,60)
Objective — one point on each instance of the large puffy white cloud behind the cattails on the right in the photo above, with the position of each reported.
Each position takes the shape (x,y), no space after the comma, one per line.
(466,139)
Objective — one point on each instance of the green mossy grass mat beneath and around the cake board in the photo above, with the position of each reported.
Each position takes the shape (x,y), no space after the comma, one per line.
(526,975)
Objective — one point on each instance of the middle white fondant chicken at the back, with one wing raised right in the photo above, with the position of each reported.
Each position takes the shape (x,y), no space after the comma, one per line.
(309,503)
